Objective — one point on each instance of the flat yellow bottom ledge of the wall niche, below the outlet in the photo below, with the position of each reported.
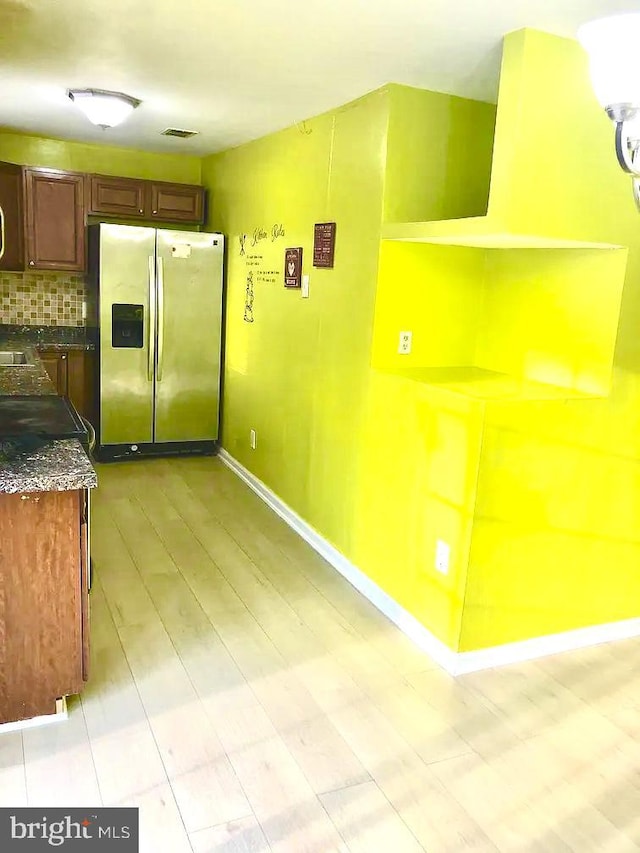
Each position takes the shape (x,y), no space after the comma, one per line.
(488,385)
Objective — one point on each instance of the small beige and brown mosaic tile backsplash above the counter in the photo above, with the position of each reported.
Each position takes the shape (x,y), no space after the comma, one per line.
(42,298)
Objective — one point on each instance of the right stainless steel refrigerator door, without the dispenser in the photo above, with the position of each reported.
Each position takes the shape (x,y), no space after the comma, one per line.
(189,335)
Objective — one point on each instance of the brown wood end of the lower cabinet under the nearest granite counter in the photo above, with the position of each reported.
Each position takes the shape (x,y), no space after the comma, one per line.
(44,612)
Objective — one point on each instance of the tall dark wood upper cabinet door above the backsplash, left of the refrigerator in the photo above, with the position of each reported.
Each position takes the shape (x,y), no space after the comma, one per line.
(55,220)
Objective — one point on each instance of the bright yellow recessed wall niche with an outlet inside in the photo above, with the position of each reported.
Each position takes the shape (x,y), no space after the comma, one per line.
(495,324)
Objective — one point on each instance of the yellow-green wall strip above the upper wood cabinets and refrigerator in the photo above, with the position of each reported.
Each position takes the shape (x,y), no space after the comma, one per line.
(30,150)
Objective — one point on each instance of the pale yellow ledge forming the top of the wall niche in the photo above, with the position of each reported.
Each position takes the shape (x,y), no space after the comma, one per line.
(482,232)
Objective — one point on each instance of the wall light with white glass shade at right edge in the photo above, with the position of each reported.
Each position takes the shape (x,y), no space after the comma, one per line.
(614,63)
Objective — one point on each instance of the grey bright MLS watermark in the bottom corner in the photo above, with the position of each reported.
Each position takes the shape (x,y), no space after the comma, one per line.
(34,830)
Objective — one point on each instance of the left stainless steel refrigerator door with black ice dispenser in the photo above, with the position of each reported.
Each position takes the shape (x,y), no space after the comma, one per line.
(127,319)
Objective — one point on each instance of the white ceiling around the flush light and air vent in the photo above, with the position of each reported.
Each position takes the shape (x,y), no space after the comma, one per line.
(238,69)
